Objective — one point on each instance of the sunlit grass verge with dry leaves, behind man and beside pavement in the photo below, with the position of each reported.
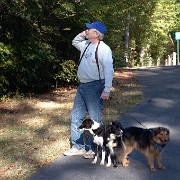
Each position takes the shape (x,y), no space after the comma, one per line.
(35,131)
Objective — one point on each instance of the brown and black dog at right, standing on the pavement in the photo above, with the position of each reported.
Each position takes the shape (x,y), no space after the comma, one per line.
(148,141)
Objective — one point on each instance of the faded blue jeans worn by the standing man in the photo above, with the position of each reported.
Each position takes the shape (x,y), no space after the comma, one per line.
(87,100)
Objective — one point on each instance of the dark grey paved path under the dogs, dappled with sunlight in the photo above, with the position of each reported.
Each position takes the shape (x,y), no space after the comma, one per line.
(161,107)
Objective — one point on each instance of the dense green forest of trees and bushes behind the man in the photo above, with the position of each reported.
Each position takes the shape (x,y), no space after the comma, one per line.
(36,53)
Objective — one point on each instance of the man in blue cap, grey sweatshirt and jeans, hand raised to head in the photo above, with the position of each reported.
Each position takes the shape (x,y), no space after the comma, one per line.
(95,73)
